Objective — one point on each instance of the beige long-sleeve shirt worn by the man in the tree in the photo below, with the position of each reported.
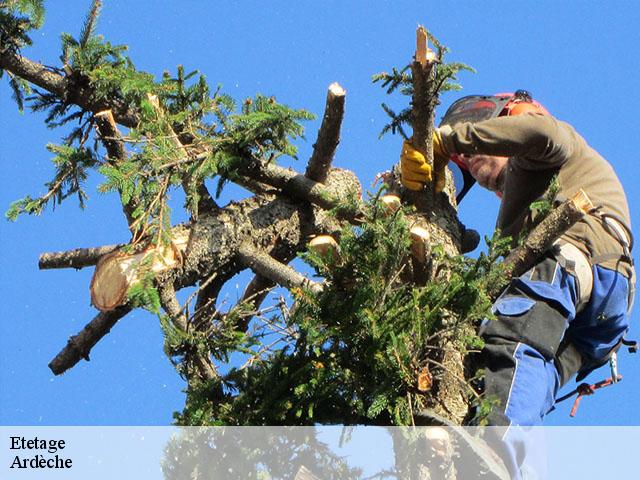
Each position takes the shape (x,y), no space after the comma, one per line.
(540,147)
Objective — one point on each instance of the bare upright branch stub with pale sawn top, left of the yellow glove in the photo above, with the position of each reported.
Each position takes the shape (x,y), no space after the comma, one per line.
(328,135)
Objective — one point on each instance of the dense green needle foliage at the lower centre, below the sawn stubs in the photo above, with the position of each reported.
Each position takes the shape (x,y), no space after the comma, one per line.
(353,353)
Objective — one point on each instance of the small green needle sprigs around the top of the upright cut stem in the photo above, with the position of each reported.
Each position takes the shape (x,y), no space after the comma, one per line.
(444,79)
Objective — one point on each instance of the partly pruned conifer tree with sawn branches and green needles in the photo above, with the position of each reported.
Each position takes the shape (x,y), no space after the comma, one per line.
(387,332)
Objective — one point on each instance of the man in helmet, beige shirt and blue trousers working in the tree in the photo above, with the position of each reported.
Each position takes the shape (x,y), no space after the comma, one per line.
(569,313)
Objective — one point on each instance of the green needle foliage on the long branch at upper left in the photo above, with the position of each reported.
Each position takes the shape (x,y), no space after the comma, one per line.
(216,140)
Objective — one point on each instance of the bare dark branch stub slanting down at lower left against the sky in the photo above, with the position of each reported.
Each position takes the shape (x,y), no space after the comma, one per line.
(79,346)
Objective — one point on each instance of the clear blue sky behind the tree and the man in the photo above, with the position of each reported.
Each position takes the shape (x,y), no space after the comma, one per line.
(578,58)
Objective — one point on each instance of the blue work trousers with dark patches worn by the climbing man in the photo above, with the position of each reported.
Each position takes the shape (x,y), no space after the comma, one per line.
(539,341)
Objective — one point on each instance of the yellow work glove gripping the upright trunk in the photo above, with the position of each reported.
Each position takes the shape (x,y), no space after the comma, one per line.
(414,169)
